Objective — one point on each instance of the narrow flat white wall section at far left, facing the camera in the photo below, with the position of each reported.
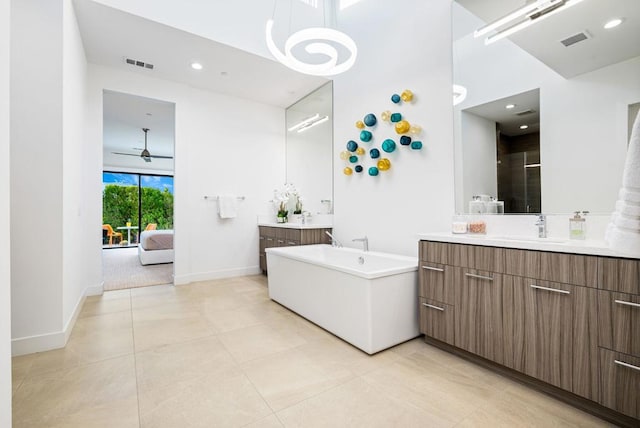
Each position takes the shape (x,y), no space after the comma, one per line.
(36,170)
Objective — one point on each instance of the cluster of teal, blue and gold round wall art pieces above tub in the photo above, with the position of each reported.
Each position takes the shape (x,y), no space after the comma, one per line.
(365,154)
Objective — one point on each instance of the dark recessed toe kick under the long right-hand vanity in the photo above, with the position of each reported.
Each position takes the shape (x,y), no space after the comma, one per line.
(576,401)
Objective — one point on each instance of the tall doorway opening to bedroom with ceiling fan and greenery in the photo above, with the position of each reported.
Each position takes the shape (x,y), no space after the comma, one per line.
(137,191)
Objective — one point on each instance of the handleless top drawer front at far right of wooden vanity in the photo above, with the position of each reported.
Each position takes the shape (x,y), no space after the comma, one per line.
(622,275)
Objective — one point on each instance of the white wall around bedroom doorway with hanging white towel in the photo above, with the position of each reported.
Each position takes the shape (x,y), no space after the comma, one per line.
(223,145)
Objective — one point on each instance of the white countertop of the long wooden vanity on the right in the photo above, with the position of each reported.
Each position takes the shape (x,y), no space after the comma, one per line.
(573,246)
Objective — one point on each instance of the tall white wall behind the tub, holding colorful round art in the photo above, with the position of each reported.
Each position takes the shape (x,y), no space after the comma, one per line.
(416,194)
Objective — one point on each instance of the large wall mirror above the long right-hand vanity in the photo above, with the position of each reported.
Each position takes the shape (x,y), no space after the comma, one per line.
(545,122)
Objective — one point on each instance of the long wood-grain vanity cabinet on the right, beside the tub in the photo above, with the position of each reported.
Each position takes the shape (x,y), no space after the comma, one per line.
(550,316)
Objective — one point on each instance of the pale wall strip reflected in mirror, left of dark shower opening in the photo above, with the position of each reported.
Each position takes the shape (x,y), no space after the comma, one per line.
(479,157)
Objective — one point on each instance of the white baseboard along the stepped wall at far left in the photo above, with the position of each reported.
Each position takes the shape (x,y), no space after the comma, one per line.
(54,340)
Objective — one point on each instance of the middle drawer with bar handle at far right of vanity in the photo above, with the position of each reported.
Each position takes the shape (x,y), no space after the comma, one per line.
(619,322)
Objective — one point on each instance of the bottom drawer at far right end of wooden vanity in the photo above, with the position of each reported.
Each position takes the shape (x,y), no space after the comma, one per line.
(620,382)
